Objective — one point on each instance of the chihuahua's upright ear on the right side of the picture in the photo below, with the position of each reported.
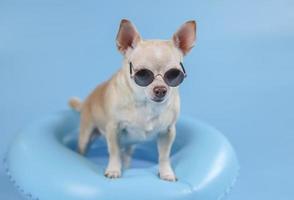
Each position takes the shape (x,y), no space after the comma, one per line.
(185,37)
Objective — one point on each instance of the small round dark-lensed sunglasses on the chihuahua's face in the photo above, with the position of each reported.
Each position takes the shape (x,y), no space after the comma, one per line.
(172,77)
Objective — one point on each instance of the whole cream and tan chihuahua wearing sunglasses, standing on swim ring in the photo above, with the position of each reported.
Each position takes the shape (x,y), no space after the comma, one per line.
(139,102)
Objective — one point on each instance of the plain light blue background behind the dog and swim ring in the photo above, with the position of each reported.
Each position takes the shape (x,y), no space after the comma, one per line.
(240,73)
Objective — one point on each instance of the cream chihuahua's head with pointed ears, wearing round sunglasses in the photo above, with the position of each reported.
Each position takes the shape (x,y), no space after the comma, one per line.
(153,57)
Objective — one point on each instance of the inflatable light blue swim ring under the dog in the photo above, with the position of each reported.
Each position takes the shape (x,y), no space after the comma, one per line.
(43,164)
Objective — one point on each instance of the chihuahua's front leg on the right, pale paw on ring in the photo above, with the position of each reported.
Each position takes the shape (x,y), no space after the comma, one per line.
(164,144)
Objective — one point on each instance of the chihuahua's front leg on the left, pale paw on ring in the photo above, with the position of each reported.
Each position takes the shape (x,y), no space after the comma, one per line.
(113,169)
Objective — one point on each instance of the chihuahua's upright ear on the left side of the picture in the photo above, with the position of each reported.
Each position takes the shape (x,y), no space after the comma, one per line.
(127,36)
